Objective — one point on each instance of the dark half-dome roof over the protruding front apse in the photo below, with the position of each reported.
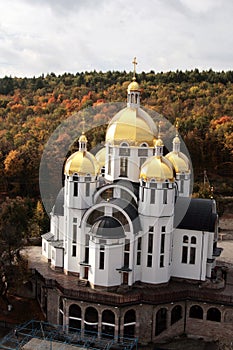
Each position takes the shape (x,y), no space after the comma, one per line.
(108,227)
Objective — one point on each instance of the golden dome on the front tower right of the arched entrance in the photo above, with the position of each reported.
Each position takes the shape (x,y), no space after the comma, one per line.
(158,168)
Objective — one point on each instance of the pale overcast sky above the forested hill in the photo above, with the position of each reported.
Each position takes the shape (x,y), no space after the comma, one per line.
(44,36)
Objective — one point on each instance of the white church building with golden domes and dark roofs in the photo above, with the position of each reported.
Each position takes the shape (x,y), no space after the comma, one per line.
(126,215)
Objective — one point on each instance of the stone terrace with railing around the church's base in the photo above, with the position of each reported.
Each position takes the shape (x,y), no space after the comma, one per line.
(175,290)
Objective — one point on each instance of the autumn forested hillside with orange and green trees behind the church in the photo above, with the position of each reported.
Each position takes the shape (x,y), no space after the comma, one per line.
(32,108)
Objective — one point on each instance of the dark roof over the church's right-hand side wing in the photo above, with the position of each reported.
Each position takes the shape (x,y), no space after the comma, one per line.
(195,214)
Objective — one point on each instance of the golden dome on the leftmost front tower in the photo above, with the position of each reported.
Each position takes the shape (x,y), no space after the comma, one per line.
(82,163)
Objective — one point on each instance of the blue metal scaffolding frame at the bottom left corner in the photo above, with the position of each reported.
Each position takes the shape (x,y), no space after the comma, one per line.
(48,336)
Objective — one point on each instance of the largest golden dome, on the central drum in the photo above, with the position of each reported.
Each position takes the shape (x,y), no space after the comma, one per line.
(132,125)
